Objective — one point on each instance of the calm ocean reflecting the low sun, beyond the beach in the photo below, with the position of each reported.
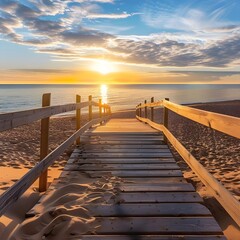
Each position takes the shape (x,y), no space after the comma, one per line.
(21,97)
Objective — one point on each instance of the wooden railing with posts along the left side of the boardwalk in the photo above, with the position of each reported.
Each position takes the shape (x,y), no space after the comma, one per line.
(15,119)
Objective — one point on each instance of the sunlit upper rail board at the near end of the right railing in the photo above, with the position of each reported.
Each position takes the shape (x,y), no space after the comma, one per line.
(223,123)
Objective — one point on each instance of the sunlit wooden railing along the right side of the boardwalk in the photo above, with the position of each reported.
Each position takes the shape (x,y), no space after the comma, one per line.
(223,123)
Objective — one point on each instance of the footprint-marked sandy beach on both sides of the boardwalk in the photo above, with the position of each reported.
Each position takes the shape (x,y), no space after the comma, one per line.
(216,151)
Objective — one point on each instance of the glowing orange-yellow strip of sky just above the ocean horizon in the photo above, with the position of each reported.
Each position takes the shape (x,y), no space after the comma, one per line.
(114,77)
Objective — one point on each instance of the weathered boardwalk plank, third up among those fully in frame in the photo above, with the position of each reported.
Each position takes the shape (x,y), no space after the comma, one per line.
(158,197)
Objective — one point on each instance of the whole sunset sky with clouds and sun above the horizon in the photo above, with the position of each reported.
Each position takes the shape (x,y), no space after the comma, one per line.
(120,41)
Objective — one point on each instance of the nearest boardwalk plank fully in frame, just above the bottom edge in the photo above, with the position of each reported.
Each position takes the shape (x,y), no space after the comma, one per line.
(157,225)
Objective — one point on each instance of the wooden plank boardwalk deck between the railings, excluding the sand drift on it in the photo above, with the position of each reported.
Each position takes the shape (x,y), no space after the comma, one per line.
(140,190)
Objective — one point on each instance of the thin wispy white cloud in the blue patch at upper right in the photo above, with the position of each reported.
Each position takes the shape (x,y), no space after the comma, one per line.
(201,16)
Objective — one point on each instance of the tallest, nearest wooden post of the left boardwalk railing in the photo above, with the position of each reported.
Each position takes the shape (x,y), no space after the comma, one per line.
(44,145)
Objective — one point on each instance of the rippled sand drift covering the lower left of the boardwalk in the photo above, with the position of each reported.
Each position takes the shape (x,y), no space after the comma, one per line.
(60,214)
